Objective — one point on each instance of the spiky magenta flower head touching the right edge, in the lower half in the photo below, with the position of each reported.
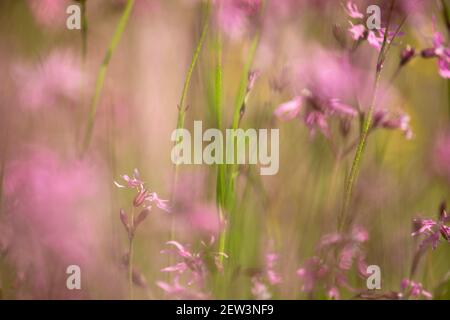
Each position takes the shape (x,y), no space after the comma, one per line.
(433,230)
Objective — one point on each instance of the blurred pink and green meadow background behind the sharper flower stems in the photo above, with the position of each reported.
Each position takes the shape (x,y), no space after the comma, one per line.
(60,207)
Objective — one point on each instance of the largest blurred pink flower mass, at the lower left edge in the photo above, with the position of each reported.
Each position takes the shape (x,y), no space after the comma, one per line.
(52,203)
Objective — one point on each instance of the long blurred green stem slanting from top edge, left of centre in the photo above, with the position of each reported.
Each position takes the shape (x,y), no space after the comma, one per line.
(102,72)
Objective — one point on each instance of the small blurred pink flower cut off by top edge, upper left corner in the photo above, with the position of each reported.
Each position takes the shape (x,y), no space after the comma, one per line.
(50,13)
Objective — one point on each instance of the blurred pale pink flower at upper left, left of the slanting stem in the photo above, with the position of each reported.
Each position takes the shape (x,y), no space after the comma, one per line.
(57,79)
